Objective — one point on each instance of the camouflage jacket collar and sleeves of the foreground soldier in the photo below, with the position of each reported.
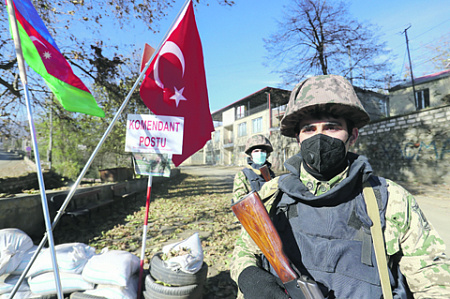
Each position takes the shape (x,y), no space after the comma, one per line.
(423,261)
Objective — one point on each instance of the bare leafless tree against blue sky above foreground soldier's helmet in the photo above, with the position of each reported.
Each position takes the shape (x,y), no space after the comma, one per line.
(319,37)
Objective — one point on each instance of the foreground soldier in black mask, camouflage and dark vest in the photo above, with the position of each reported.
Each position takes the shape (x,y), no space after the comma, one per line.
(320,213)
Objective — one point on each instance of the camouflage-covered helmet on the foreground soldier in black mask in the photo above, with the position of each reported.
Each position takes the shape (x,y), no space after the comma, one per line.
(326,93)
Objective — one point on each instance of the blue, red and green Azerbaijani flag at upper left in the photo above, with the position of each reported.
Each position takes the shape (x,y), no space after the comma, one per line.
(43,56)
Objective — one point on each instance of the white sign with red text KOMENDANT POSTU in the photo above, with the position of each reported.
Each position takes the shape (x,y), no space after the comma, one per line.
(154,134)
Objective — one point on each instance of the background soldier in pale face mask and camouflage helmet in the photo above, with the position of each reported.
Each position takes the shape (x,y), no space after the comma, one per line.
(258,149)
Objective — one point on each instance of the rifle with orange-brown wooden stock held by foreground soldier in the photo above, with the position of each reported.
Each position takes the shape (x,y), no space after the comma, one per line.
(254,218)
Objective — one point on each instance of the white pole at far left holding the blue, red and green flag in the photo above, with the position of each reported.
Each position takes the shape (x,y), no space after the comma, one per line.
(23,77)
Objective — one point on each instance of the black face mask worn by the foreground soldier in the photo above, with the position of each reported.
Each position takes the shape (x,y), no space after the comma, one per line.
(323,154)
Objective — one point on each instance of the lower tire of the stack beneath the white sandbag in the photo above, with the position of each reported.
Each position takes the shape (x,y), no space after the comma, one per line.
(154,290)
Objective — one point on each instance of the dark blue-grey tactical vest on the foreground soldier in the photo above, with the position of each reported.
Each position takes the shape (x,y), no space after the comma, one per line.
(334,233)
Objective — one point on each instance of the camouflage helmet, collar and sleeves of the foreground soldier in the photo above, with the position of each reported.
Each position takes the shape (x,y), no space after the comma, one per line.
(407,232)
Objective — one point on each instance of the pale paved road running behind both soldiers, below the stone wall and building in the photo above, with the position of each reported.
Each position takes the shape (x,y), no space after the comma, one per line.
(434,200)
